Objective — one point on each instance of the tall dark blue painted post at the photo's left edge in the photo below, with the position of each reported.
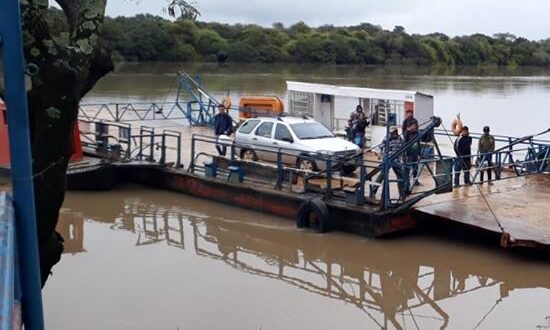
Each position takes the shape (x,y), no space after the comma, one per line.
(21,164)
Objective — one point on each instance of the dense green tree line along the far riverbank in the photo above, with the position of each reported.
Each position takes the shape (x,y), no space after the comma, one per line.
(152,38)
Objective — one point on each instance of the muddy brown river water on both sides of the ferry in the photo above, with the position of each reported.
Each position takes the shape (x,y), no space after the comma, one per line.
(138,258)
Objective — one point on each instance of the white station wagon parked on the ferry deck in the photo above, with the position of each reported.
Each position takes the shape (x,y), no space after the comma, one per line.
(302,141)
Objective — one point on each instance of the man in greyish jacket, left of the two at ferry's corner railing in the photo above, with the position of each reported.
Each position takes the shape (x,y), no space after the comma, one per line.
(394,144)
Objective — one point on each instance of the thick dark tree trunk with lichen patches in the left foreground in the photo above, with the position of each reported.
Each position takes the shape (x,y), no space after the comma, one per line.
(61,76)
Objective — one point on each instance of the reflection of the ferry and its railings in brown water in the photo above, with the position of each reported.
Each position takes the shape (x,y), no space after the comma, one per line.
(391,286)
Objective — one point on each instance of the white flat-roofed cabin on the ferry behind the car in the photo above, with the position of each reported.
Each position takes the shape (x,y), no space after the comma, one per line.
(332,105)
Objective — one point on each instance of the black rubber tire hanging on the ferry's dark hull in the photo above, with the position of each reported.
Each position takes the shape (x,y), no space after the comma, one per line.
(313,214)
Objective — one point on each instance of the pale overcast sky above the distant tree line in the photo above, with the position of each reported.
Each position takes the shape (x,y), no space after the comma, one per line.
(527,18)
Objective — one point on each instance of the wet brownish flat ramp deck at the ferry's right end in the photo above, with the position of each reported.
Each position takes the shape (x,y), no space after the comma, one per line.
(516,207)
